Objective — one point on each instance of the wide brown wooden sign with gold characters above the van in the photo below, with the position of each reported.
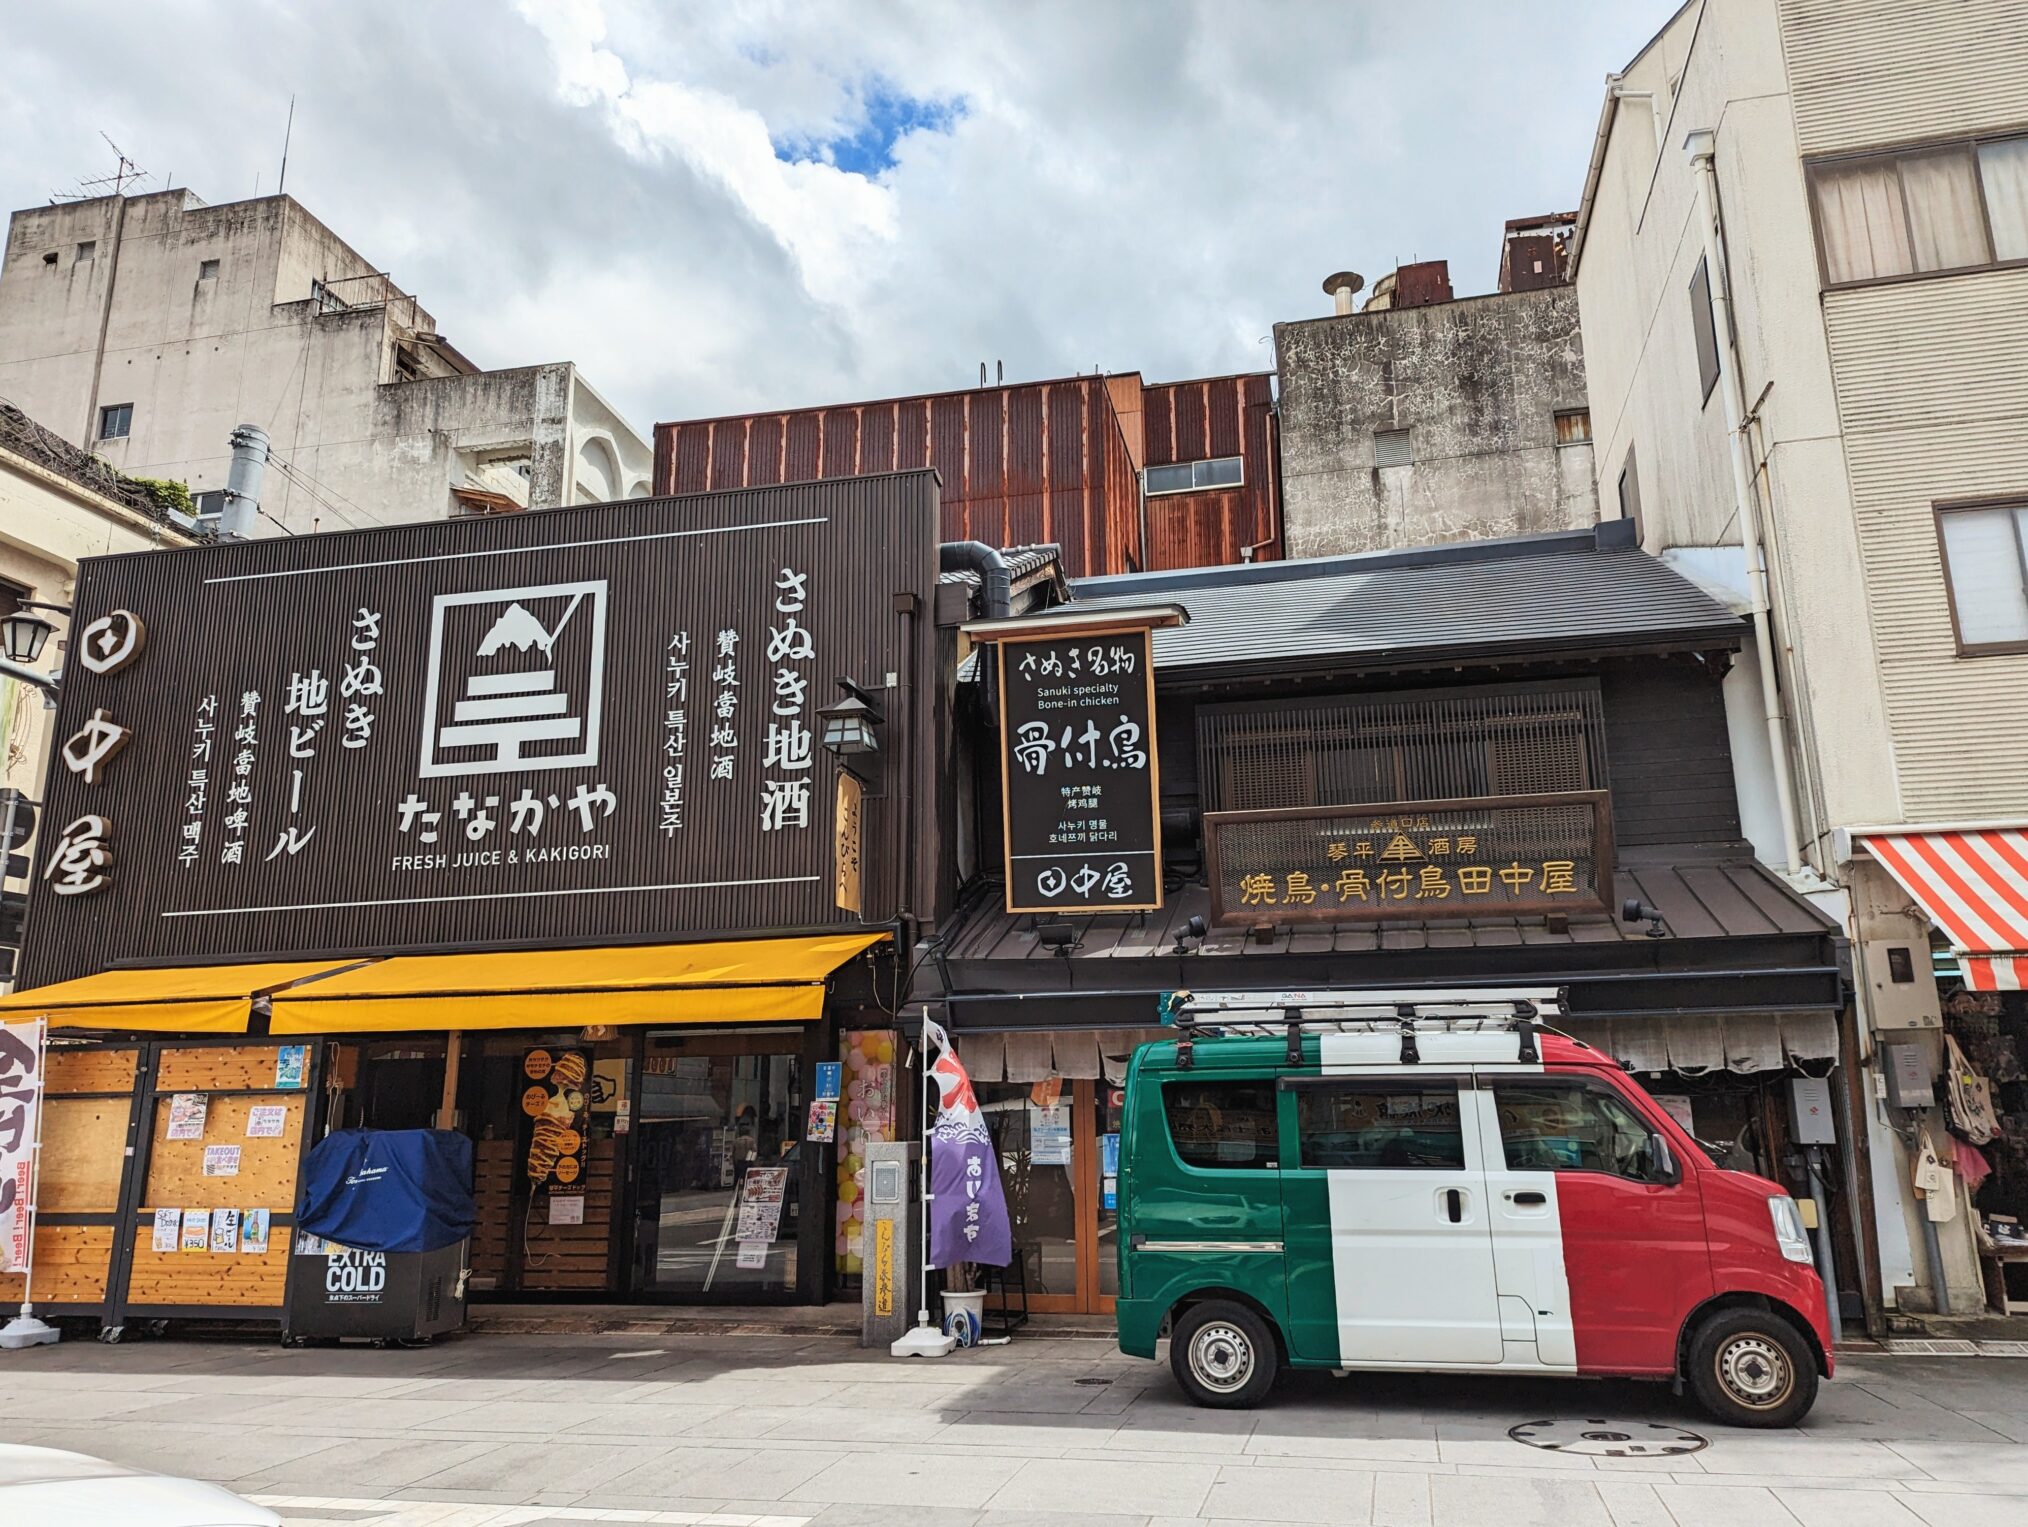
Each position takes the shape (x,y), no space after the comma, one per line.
(1415,861)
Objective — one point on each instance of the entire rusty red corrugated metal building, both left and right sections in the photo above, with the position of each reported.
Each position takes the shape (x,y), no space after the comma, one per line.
(1025,463)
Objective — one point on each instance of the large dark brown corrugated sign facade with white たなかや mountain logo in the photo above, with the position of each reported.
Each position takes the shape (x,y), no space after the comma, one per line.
(569,725)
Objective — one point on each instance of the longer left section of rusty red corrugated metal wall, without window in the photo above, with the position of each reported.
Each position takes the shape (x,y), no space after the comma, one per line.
(1021,465)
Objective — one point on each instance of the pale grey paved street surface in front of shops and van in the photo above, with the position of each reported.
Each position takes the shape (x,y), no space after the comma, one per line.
(812,1433)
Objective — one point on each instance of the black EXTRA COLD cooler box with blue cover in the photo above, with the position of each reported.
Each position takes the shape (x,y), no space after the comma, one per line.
(370,1199)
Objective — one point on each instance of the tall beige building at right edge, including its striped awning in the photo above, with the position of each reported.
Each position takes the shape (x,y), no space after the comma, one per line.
(1802,261)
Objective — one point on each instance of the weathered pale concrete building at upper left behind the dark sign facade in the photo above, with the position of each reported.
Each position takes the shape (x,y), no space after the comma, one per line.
(147,328)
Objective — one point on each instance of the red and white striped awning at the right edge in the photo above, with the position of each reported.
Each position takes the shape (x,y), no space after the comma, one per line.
(1972,885)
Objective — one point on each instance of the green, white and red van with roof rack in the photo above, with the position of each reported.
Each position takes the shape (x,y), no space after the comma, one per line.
(1439,1183)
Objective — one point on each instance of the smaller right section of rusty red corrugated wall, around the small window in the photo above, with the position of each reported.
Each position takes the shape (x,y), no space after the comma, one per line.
(1198,421)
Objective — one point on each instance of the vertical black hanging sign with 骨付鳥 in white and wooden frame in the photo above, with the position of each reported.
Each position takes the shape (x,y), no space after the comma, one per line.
(1080,776)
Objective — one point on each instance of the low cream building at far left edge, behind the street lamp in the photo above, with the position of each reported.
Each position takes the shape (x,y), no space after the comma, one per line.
(56,506)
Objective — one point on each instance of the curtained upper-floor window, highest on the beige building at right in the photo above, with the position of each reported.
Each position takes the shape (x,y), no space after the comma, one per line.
(1922,210)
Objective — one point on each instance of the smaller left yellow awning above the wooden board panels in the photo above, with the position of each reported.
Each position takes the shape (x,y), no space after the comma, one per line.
(179,1001)
